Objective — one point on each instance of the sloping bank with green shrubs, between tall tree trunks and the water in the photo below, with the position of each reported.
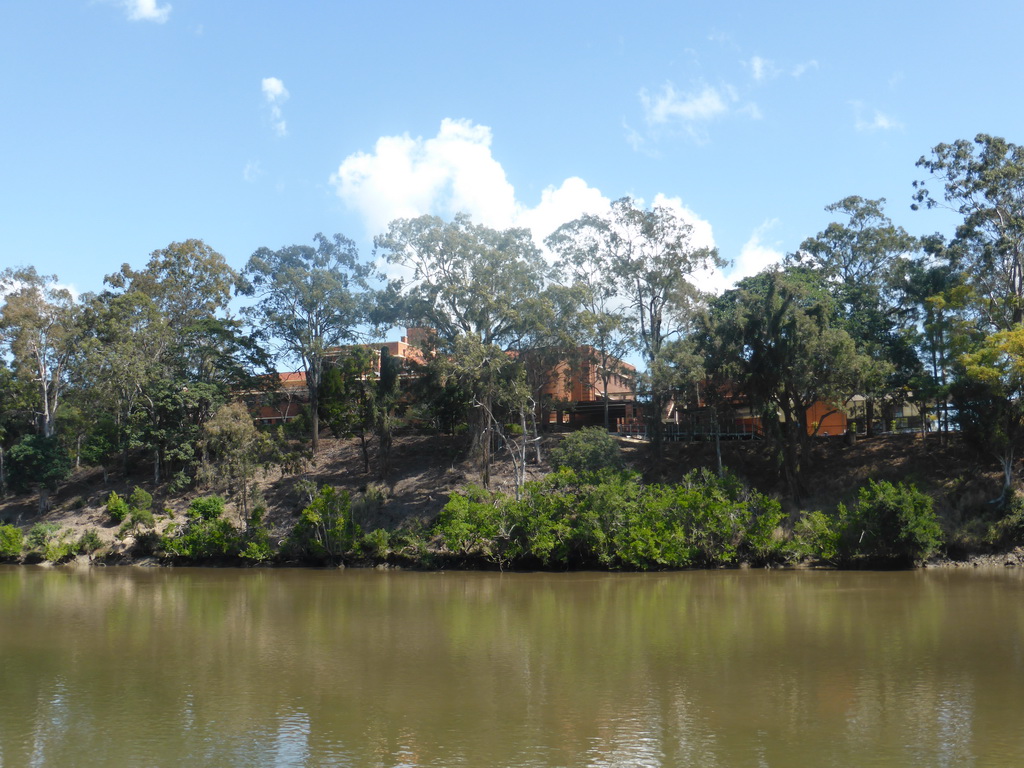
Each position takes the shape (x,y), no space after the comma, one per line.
(587,507)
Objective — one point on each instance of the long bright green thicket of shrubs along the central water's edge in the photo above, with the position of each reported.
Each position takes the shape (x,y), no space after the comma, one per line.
(616,522)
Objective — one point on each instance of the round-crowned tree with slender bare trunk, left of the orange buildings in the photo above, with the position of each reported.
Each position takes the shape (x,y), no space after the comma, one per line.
(310,300)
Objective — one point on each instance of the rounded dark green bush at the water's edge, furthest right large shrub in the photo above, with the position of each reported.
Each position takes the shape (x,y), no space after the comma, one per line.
(897,523)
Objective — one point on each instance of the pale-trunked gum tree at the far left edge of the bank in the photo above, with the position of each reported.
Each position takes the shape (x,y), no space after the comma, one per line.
(39,328)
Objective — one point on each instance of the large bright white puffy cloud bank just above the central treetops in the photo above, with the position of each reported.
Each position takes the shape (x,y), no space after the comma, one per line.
(456,172)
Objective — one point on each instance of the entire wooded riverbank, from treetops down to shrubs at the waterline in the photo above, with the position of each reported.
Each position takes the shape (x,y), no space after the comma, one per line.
(150,420)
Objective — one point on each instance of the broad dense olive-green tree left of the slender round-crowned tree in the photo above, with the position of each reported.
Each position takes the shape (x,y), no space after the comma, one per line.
(166,354)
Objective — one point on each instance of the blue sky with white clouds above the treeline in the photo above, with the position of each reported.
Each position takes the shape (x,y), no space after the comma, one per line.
(127,125)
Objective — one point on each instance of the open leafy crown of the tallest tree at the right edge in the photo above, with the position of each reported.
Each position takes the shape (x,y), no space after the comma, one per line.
(984,182)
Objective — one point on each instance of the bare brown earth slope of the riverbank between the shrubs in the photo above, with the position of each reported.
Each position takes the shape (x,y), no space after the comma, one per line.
(428,470)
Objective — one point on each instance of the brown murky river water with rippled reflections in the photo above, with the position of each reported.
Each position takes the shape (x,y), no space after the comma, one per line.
(129,667)
